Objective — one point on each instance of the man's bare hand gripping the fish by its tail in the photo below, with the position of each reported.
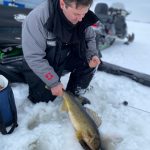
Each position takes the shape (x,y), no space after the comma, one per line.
(57,90)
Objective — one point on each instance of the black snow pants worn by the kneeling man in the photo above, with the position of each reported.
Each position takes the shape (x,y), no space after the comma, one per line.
(80,77)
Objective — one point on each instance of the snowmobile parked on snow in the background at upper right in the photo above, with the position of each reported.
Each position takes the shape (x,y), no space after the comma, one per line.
(111,25)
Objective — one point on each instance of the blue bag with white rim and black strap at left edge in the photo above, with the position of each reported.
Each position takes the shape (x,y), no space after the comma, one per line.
(8,111)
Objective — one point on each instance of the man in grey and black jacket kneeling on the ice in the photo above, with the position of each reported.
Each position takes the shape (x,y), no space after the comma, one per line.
(57,36)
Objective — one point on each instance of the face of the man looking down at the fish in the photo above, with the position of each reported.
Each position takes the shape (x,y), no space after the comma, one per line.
(73,14)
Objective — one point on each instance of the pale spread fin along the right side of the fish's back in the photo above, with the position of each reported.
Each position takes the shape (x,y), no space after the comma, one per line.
(94,116)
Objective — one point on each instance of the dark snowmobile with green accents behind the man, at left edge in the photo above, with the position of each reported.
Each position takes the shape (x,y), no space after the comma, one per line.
(11,18)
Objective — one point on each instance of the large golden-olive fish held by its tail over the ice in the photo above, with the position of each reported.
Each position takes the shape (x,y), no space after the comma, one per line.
(84,121)
